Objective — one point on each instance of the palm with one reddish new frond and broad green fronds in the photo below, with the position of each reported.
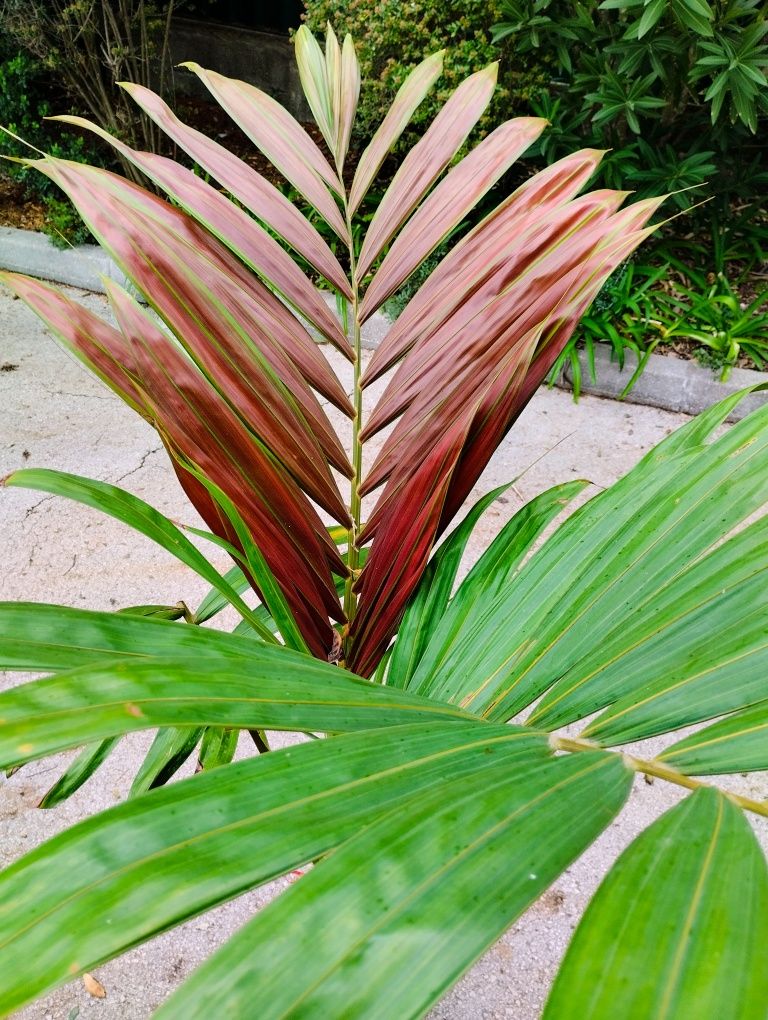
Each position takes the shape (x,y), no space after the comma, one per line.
(433,822)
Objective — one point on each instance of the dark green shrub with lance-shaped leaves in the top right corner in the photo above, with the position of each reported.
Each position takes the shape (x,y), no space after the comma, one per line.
(676,90)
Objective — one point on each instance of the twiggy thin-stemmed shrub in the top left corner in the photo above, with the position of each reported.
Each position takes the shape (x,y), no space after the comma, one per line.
(57,56)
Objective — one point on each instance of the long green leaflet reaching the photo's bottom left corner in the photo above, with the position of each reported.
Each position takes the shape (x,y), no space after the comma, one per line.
(152,862)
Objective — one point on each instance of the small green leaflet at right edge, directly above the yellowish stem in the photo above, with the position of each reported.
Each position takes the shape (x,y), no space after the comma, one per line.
(737,744)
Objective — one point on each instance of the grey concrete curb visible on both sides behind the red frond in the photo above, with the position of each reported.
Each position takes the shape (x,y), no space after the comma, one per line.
(672,384)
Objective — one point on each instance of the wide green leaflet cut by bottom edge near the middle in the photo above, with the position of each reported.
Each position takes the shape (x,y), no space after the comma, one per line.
(418,896)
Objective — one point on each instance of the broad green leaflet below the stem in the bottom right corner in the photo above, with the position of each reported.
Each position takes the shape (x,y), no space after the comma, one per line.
(680,927)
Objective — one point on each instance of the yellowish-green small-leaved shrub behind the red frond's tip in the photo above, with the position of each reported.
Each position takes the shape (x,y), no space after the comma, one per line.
(392,38)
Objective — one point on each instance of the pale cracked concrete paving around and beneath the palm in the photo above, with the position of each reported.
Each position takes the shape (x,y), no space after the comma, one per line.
(61,552)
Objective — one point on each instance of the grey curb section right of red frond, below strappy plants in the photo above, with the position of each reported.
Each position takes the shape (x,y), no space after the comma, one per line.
(672,384)
